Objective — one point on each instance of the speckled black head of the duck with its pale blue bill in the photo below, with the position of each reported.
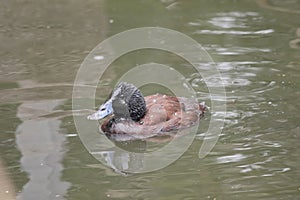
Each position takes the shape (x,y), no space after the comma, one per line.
(125,102)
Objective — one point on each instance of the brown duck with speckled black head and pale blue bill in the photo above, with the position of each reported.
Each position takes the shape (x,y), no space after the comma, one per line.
(128,113)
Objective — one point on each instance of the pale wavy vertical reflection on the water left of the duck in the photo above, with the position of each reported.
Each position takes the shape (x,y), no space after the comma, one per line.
(41,146)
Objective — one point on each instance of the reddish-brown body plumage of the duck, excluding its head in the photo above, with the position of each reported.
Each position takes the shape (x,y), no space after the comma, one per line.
(163,114)
